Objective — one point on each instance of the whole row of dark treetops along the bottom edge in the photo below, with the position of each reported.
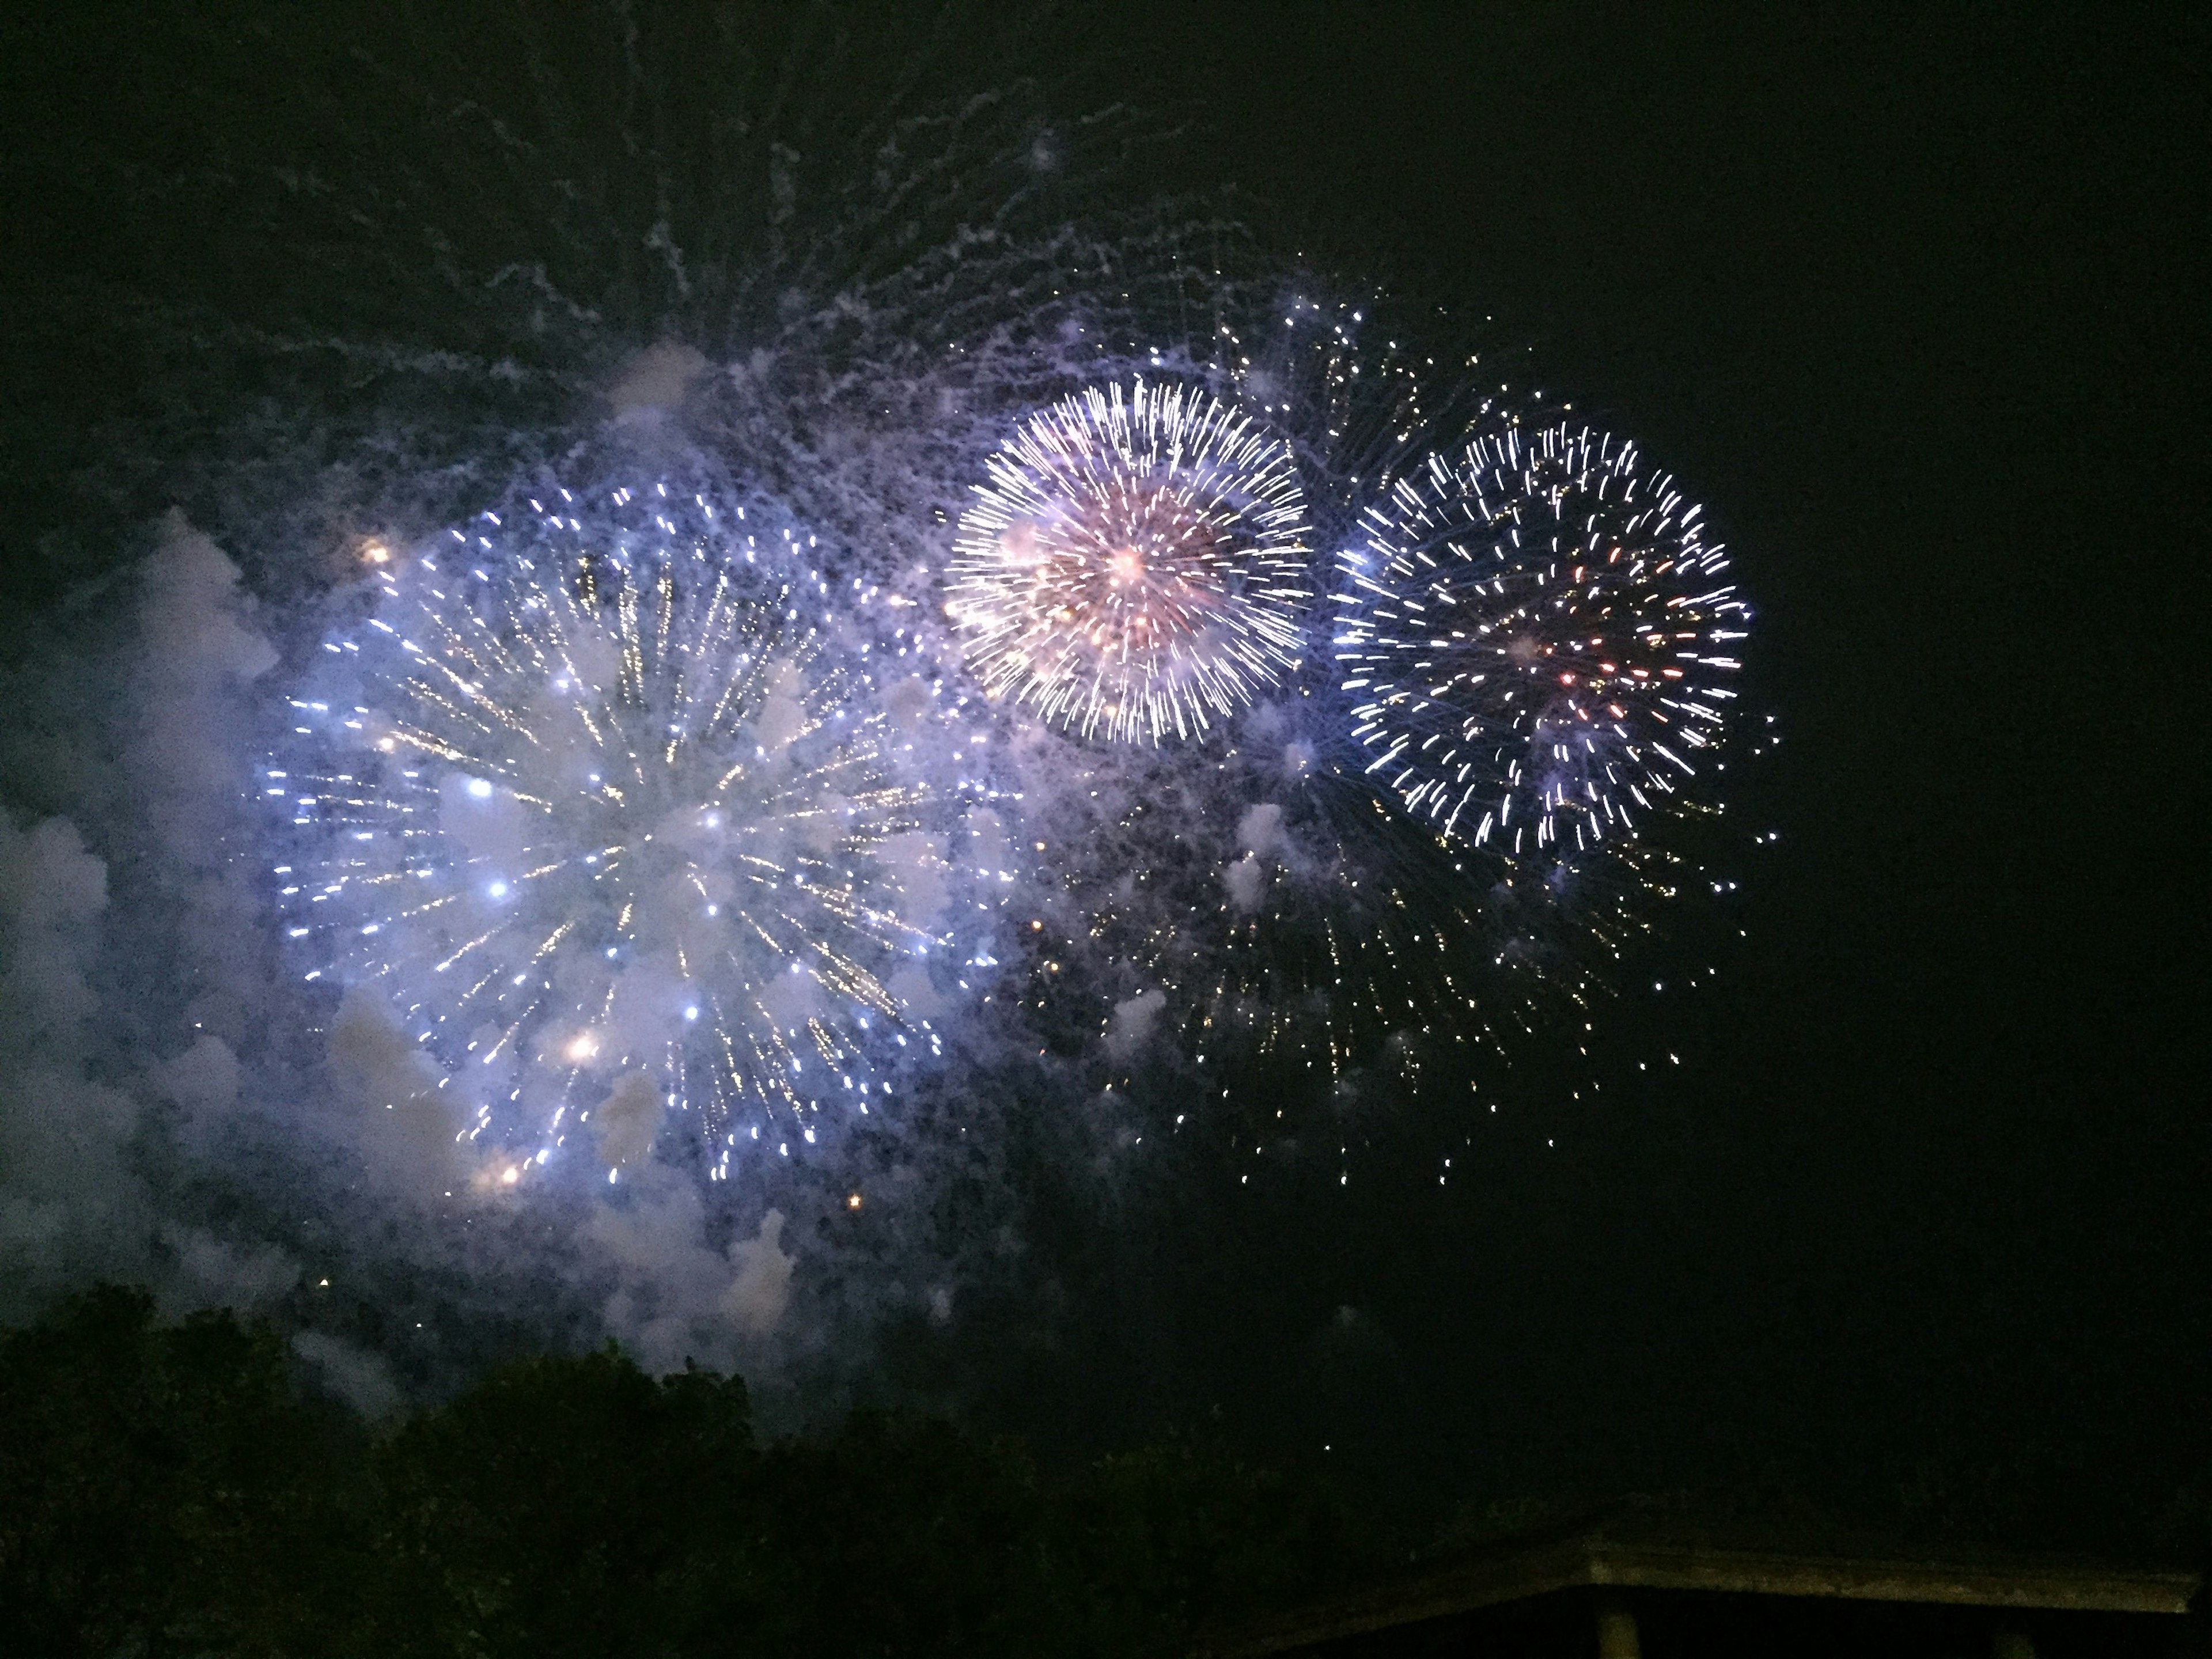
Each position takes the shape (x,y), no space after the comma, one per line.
(165,1492)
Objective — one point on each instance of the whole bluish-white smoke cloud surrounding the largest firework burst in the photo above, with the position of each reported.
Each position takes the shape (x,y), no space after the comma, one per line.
(154,1034)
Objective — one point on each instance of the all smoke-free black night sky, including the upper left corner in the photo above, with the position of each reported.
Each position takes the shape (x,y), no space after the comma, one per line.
(1917,306)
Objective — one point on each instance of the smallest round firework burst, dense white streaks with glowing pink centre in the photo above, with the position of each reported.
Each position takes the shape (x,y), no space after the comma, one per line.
(1136,563)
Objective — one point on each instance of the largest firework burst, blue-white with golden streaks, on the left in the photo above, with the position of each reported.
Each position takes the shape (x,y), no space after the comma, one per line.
(616,828)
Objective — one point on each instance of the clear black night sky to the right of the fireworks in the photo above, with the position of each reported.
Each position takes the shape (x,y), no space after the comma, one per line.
(1919,304)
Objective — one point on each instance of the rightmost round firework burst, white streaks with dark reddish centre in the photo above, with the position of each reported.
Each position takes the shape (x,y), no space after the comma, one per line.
(1538,640)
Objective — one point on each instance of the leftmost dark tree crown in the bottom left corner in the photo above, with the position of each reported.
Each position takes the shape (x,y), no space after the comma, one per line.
(163,1490)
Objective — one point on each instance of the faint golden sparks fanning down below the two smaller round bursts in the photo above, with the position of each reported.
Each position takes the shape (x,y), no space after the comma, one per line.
(1275,921)
